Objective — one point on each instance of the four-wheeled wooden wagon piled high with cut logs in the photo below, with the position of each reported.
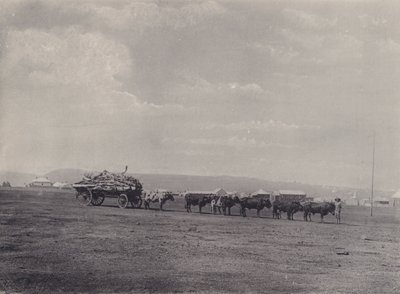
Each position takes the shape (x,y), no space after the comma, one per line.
(93,189)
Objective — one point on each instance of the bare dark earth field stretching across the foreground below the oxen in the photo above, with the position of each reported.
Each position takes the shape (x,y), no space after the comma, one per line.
(49,244)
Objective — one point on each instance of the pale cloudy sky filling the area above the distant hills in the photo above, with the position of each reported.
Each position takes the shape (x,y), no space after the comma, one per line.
(281,90)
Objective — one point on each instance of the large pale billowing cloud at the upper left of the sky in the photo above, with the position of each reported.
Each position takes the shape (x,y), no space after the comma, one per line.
(65,57)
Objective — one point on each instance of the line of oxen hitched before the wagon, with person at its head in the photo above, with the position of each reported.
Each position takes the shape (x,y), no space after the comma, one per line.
(226,202)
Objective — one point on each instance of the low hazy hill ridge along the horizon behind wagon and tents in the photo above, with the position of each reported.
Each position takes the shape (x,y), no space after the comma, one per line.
(187,182)
